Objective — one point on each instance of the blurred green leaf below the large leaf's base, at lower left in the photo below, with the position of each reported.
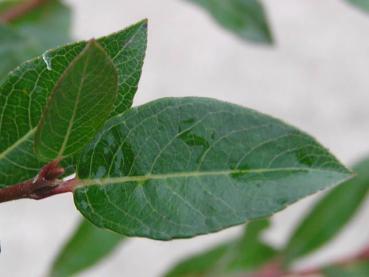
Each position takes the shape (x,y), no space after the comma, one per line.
(86,247)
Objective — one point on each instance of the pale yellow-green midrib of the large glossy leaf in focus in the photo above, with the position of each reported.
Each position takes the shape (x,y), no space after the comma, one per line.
(143,178)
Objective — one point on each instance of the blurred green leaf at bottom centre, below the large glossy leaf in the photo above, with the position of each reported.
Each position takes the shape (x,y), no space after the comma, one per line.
(242,255)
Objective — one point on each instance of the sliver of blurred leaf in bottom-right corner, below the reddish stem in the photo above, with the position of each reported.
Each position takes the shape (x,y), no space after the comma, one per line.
(359,269)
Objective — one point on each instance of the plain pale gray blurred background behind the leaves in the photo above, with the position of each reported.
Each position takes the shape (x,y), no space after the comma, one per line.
(315,77)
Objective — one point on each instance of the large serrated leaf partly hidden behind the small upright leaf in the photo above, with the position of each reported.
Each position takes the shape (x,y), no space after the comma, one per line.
(25,91)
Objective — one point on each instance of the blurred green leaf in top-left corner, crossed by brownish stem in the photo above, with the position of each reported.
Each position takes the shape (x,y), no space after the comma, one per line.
(43,28)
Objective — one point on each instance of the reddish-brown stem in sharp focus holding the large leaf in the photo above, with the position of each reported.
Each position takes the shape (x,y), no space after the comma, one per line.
(45,184)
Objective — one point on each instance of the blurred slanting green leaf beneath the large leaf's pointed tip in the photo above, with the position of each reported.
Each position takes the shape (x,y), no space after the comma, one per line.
(330,214)
